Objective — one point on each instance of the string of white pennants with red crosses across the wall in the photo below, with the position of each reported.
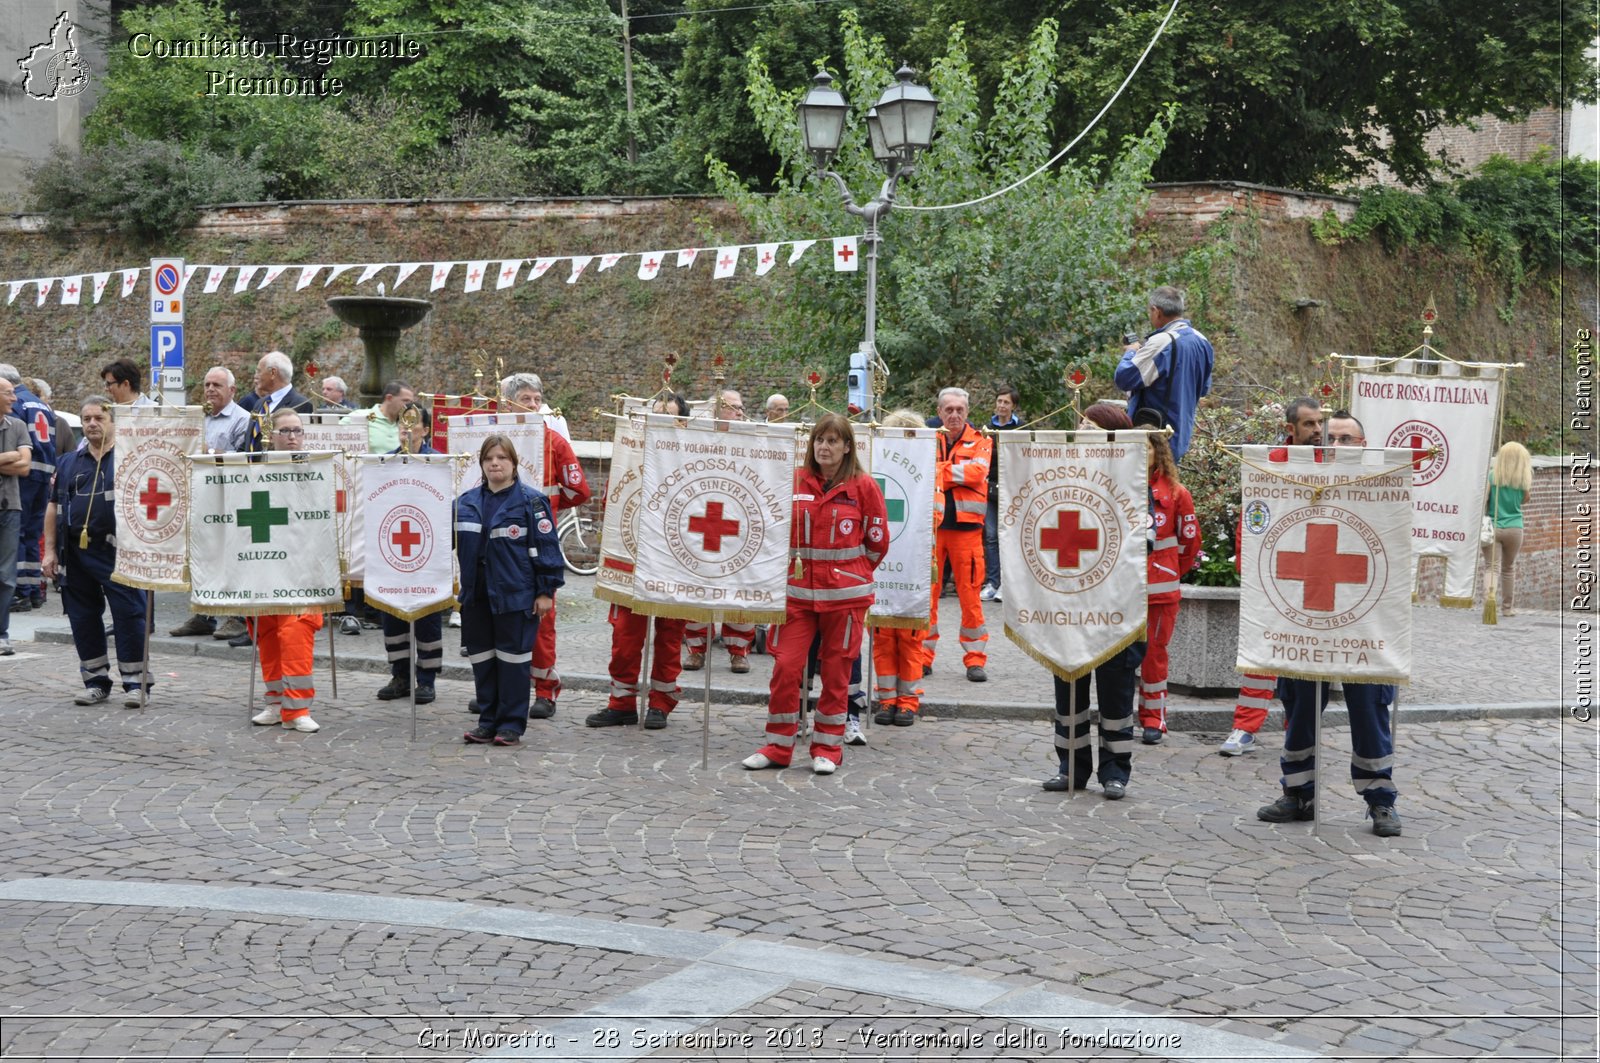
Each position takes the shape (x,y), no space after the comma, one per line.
(726,263)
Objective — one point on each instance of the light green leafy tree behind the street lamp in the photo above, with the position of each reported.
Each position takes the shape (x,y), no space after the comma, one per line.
(1009,289)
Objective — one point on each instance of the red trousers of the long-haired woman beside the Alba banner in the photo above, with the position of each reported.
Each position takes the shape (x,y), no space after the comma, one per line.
(841,646)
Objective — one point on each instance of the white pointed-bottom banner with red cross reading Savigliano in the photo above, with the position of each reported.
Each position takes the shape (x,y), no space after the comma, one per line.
(1074,510)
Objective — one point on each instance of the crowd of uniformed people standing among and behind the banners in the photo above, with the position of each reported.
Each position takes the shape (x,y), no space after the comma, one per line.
(58,524)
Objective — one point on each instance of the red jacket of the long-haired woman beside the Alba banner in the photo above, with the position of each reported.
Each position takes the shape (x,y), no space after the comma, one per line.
(838,540)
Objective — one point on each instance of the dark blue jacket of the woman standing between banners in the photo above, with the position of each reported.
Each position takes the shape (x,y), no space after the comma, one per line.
(521,550)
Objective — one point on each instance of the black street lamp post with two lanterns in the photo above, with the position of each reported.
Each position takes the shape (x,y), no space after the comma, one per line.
(900,126)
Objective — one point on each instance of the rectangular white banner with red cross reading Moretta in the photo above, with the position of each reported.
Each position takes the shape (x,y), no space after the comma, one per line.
(1324,561)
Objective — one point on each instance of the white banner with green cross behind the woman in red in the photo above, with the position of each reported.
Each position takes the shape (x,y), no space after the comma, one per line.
(903,463)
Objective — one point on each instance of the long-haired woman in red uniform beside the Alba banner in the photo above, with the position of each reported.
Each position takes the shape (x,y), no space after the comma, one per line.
(839,537)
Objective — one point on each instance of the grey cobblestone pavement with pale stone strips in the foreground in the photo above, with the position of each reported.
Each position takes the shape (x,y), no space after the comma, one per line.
(182,883)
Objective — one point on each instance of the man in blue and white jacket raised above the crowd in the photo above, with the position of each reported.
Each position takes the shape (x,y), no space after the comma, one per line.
(1170,371)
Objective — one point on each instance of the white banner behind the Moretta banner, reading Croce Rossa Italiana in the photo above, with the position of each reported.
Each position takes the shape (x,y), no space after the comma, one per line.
(1449,423)
